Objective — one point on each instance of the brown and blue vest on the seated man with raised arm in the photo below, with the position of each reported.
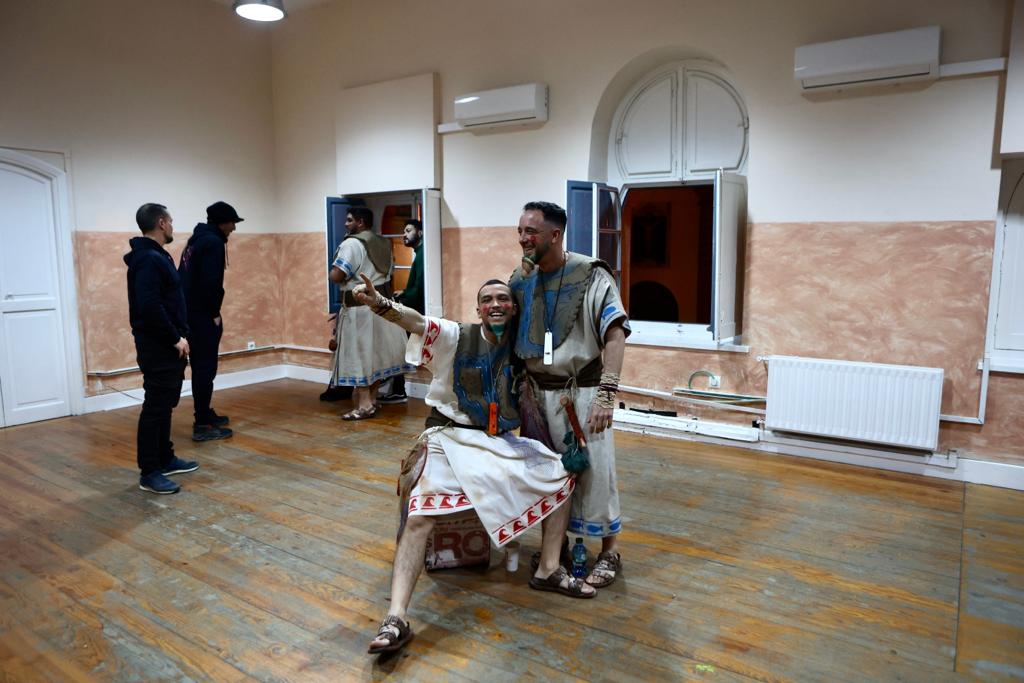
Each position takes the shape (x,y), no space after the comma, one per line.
(482,375)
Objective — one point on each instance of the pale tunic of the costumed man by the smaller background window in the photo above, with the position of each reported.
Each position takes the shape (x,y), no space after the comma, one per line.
(370,349)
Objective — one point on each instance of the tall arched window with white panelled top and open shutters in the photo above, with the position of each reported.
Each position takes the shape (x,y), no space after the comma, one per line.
(676,156)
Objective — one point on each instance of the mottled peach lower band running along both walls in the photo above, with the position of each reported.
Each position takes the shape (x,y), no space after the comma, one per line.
(913,293)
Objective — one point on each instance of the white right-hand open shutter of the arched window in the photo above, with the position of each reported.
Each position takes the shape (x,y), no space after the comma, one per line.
(731,210)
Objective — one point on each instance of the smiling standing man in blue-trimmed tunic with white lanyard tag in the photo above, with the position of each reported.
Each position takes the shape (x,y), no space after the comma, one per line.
(572,336)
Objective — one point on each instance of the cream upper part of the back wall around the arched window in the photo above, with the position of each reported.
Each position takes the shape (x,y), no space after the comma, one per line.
(923,155)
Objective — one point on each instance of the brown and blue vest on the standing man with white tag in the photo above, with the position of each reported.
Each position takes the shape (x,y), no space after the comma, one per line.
(537,294)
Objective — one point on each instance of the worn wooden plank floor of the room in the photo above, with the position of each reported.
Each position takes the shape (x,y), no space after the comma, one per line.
(274,565)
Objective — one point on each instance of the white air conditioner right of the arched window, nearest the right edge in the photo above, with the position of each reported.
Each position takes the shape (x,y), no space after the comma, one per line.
(888,58)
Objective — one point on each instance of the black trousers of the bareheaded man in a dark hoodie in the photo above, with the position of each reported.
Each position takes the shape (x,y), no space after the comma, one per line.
(163,372)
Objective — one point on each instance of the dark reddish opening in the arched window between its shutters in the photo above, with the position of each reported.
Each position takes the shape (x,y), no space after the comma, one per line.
(668,252)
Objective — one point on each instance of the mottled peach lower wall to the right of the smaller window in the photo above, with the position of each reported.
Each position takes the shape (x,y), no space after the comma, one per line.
(909,293)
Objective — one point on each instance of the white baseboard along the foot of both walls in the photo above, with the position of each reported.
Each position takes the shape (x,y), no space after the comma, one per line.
(933,465)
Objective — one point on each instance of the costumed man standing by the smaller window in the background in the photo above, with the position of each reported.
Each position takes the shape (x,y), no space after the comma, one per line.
(369,350)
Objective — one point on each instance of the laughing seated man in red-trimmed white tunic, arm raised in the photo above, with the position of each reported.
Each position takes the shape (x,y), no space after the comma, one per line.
(468,458)
